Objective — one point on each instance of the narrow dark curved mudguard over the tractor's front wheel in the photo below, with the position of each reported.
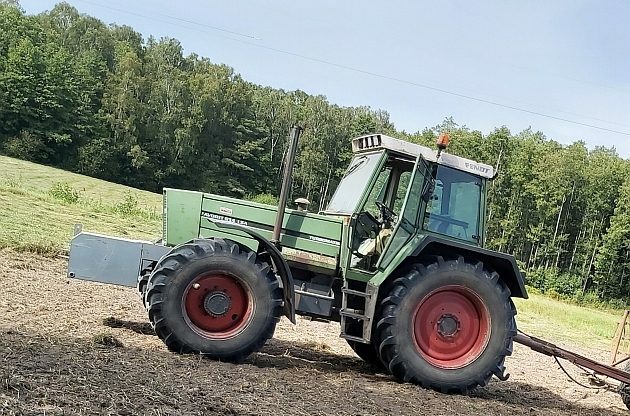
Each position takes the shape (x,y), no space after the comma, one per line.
(282,268)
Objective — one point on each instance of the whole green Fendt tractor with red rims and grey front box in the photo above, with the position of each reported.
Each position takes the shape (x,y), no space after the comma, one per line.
(397,258)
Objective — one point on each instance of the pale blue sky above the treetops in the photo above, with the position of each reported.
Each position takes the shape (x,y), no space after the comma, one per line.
(561,67)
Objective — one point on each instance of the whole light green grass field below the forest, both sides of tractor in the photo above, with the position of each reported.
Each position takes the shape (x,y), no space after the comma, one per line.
(41,204)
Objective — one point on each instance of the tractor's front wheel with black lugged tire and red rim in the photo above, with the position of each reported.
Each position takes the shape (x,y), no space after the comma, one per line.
(211,297)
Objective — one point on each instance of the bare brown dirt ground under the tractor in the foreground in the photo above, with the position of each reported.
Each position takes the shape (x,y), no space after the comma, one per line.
(52,364)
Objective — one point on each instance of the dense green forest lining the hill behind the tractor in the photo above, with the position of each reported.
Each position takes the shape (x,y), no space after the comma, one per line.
(101,100)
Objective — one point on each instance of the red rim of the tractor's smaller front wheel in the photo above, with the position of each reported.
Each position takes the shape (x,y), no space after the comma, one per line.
(217,306)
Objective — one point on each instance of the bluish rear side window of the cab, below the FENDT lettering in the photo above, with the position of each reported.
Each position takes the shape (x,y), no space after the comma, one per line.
(453,209)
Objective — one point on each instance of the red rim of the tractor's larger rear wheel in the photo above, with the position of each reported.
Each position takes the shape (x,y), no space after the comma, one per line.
(451,327)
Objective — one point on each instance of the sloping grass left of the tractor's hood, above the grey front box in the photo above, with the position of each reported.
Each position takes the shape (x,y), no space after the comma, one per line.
(40,206)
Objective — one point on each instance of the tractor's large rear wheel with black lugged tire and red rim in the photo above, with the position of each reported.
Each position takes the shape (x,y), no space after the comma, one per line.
(446,325)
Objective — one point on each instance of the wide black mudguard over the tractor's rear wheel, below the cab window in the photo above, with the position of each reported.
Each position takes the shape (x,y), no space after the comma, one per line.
(502,263)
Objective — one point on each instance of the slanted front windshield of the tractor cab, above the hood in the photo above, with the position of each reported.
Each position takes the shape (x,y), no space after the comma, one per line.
(353,183)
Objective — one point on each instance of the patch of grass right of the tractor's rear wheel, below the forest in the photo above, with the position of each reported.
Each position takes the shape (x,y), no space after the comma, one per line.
(564,322)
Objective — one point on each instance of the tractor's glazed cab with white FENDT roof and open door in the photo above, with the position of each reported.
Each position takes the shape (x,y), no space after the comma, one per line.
(393,189)
